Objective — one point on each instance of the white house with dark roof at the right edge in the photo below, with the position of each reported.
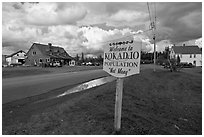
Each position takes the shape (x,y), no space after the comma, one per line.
(187,54)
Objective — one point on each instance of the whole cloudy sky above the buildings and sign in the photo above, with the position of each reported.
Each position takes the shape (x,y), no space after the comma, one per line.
(85,27)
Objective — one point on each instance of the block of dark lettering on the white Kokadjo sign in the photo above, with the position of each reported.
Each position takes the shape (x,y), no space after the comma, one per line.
(121,59)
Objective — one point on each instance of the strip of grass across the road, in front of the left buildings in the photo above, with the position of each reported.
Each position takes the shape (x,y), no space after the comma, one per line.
(10,72)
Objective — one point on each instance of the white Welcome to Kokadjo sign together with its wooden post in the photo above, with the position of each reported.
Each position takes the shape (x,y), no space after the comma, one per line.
(121,59)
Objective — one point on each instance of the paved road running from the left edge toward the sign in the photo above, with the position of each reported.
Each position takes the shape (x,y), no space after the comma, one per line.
(21,87)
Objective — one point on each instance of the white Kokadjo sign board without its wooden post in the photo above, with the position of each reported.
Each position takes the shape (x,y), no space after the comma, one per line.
(122,57)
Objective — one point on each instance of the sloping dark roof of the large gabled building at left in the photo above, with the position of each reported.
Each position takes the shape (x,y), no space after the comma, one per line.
(53,51)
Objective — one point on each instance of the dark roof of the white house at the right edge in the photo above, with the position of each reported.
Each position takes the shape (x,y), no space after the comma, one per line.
(186,49)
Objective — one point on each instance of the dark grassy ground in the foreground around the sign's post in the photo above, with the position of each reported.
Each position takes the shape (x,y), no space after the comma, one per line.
(154,103)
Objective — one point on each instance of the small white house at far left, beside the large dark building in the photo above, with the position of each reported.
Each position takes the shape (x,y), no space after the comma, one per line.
(16,58)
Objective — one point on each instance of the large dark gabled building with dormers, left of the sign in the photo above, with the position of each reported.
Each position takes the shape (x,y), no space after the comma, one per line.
(41,54)
